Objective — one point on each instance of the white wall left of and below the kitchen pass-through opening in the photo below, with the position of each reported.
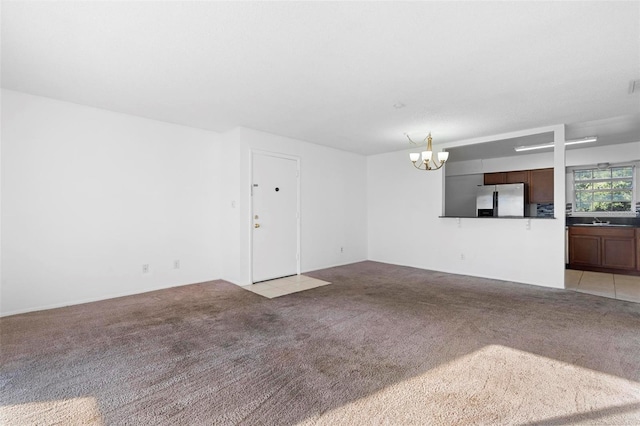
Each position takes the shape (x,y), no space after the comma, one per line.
(404,228)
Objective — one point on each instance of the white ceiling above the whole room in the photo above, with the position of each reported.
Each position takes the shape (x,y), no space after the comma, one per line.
(350,75)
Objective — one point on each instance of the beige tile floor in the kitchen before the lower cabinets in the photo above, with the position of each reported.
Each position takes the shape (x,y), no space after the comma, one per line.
(622,287)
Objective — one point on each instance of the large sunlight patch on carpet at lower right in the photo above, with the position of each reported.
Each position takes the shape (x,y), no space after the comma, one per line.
(497,384)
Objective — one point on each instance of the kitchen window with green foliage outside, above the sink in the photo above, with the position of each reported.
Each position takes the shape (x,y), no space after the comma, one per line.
(607,190)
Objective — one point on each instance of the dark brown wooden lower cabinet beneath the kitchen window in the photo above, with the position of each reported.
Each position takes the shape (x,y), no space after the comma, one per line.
(603,248)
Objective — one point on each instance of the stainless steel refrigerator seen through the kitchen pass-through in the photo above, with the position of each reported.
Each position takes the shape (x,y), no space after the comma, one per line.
(501,200)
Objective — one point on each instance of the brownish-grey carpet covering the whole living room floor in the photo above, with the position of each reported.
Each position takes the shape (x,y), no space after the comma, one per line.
(382,345)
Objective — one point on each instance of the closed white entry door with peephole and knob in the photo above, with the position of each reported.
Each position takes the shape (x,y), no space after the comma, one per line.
(275,217)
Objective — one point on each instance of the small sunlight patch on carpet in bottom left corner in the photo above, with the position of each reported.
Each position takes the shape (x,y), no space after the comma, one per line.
(73,411)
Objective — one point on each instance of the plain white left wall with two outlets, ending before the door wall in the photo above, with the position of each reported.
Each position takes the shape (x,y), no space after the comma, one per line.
(89,196)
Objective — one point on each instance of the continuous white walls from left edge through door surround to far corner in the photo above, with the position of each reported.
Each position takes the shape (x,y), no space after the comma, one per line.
(89,196)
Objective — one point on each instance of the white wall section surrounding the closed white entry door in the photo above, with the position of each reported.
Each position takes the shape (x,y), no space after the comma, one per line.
(333,202)
